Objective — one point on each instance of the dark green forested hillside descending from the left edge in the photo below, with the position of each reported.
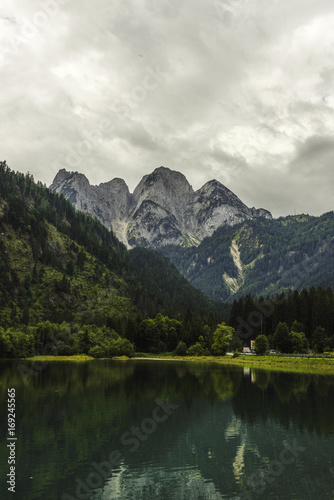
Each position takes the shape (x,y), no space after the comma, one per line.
(63,273)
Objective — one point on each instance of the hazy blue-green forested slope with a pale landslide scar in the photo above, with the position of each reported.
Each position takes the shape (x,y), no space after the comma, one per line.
(261,257)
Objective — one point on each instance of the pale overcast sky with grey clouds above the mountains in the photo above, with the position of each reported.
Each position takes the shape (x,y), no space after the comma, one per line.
(237,90)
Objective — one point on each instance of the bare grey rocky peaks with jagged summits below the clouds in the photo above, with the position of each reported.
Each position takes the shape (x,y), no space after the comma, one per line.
(163,209)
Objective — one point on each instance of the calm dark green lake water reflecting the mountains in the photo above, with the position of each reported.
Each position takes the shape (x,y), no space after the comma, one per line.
(174,430)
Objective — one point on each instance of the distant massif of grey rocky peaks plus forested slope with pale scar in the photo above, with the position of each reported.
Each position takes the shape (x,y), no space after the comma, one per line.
(221,246)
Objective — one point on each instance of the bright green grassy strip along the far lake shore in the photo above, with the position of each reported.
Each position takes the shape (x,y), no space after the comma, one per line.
(323,366)
